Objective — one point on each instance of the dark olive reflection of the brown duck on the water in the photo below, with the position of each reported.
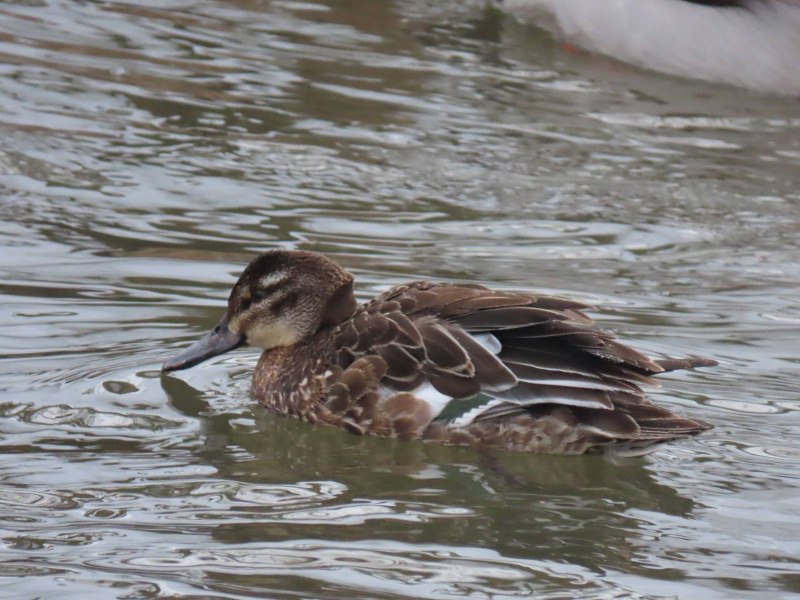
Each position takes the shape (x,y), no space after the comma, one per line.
(574,509)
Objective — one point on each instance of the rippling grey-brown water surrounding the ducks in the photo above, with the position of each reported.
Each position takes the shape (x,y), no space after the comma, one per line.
(148,151)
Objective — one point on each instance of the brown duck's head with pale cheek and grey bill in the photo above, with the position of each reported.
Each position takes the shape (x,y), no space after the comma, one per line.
(283,297)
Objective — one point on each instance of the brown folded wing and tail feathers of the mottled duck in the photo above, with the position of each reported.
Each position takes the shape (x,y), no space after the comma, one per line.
(511,354)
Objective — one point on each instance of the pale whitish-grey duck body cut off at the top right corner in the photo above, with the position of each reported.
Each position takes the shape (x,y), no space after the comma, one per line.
(752,44)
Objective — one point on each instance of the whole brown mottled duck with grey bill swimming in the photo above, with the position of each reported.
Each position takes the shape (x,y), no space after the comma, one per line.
(455,363)
